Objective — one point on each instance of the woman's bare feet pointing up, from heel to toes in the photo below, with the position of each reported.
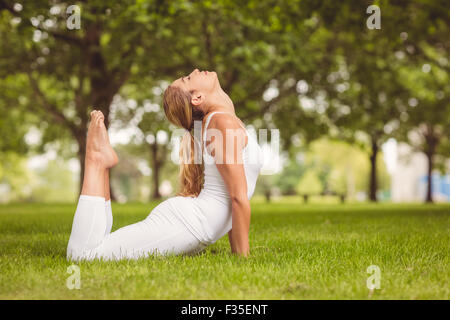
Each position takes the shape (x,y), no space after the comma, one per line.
(98,148)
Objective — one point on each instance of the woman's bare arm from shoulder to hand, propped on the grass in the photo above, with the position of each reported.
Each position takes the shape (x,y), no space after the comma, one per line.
(229,162)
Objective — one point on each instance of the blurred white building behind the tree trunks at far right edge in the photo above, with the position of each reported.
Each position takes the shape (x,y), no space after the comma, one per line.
(409,178)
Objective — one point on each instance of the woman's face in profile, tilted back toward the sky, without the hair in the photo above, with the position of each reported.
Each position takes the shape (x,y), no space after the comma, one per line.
(205,82)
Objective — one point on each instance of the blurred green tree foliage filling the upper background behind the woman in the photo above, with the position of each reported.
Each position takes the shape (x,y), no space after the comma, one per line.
(309,68)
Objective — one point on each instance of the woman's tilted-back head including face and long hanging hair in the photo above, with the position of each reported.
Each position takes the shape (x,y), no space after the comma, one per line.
(185,101)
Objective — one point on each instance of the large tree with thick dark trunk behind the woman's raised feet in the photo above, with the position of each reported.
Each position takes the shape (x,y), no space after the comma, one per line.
(70,72)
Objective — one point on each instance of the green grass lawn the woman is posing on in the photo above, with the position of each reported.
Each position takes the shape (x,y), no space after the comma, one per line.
(297,252)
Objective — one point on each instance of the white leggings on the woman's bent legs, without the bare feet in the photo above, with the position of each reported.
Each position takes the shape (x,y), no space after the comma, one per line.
(160,233)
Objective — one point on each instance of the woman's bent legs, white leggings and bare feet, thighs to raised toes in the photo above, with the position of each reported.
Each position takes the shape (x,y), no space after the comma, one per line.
(161,232)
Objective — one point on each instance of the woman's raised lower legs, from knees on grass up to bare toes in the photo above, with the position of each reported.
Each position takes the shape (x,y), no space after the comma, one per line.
(90,223)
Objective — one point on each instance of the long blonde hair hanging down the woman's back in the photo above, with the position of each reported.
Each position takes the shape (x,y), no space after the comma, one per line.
(180,111)
